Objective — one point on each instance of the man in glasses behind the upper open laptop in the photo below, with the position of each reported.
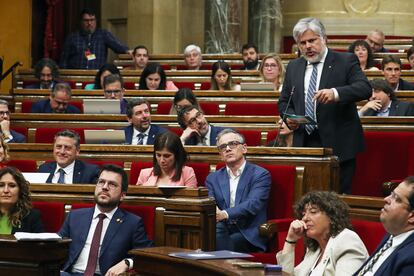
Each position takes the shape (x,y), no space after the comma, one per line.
(114,89)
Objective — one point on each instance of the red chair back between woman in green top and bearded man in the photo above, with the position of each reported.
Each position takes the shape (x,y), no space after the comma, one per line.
(52,214)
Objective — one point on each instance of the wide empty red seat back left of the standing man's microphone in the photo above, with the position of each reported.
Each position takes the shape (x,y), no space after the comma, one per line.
(251,108)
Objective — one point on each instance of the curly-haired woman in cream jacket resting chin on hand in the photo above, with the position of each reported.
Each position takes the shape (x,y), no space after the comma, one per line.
(332,248)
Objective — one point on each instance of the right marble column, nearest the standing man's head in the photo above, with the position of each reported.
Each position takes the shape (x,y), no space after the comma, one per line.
(265,22)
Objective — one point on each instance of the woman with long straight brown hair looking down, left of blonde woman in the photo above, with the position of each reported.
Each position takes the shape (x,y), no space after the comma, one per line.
(221,77)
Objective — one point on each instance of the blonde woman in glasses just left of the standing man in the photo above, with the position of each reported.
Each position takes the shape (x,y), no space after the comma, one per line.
(272,70)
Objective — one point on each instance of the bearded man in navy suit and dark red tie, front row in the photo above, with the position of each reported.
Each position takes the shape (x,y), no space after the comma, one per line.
(89,254)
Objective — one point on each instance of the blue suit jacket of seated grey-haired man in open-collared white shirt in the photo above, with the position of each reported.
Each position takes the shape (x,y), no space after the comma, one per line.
(252,194)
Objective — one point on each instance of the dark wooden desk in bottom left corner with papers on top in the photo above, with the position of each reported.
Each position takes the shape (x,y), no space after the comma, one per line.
(32,258)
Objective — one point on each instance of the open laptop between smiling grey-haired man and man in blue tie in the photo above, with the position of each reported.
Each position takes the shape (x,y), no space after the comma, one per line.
(104,136)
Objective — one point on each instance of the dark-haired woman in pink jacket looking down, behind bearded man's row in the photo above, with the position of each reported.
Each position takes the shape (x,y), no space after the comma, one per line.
(169,164)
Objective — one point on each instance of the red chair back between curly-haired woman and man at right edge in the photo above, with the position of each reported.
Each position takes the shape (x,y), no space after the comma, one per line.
(370,232)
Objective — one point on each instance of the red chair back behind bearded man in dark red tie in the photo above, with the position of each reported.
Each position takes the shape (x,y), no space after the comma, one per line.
(147,213)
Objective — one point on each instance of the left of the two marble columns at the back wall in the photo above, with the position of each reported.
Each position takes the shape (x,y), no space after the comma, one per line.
(223,26)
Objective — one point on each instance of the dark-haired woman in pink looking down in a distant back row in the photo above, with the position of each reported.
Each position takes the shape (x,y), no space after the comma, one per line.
(153,78)
